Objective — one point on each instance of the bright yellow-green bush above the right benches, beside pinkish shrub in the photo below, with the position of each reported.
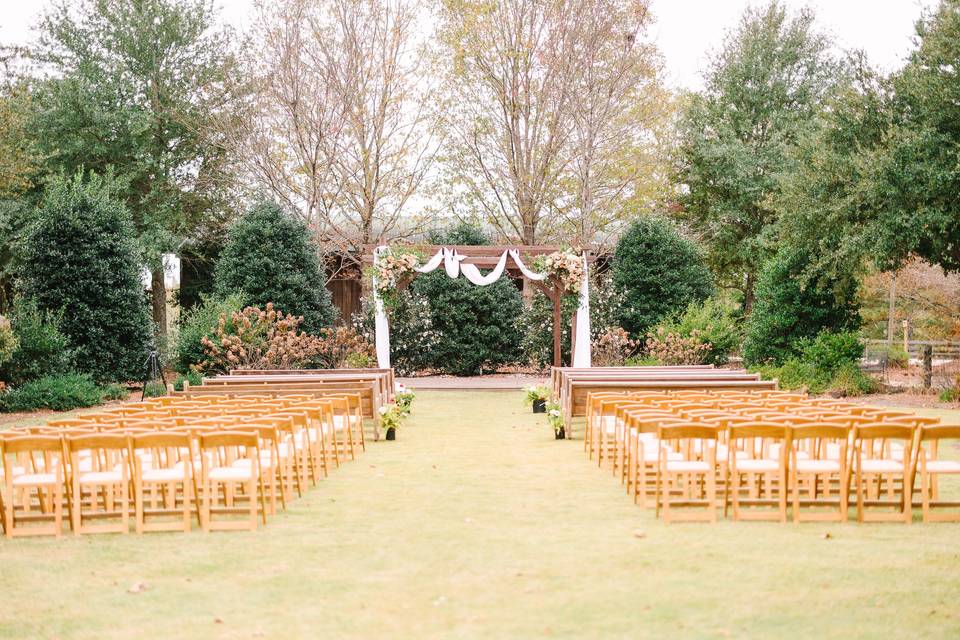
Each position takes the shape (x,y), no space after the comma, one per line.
(713,322)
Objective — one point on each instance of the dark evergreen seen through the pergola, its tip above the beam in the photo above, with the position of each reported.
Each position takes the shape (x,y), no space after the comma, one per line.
(477,326)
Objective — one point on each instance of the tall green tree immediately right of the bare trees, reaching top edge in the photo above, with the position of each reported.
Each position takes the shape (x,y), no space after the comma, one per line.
(762,91)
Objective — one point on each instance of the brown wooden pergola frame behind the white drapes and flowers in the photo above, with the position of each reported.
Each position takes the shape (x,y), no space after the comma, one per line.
(487,256)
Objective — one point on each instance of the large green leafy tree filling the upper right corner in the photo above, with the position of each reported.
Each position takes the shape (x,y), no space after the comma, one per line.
(879,178)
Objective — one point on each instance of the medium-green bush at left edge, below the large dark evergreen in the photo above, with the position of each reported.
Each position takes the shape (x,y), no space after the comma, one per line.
(42,349)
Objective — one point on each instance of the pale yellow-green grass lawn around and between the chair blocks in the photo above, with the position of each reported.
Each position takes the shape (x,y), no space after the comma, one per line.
(476,523)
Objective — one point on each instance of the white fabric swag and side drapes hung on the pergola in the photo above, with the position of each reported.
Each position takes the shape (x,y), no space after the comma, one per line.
(453,265)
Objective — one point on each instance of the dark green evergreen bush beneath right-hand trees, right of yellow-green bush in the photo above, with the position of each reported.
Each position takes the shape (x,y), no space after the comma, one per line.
(788,310)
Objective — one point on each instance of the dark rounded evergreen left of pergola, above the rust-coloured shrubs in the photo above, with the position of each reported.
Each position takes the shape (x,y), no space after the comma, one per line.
(270,257)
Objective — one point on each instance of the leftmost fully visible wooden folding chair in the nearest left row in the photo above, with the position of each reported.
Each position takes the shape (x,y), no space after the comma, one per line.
(31,464)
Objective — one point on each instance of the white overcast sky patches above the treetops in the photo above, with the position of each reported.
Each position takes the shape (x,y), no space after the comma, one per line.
(685,30)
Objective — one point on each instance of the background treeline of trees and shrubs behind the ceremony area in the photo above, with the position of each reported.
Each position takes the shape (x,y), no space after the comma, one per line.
(776,208)
